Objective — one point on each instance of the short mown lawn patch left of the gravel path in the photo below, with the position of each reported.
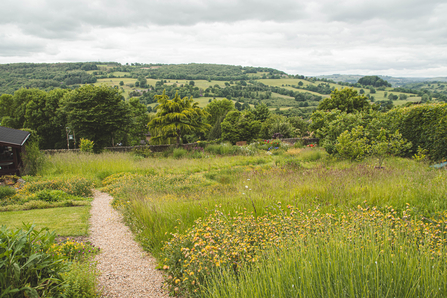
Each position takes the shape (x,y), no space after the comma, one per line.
(70,221)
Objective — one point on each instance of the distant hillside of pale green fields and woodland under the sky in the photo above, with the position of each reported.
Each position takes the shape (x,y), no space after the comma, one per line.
(290,95)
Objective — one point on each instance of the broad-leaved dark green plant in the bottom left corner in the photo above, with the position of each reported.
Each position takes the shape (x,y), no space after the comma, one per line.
(27,270)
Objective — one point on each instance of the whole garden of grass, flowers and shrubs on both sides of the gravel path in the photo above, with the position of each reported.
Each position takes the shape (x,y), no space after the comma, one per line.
(361,213)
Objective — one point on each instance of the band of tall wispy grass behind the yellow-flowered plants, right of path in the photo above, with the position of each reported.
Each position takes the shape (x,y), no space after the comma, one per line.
(155,205)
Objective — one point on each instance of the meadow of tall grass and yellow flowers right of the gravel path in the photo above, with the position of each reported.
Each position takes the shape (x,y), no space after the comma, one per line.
(170,201)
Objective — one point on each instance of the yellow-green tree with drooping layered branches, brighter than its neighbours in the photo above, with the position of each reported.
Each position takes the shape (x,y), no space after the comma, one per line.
(177,117)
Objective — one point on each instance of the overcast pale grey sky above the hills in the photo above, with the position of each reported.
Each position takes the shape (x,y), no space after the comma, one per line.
(406,38)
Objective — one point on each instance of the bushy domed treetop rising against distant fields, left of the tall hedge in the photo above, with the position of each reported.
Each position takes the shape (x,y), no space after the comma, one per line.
(346,100)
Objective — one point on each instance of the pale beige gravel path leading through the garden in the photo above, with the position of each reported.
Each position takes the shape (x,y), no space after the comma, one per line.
(126,270)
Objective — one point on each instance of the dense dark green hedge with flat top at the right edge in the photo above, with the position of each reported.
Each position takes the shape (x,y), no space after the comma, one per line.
(425,126)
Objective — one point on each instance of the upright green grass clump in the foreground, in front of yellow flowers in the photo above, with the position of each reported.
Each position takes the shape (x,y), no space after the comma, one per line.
(337,268)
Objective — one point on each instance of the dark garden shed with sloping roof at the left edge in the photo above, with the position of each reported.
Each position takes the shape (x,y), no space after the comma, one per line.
(12,148)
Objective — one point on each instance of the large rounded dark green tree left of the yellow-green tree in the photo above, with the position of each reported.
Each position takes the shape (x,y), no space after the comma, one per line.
(97,114)
